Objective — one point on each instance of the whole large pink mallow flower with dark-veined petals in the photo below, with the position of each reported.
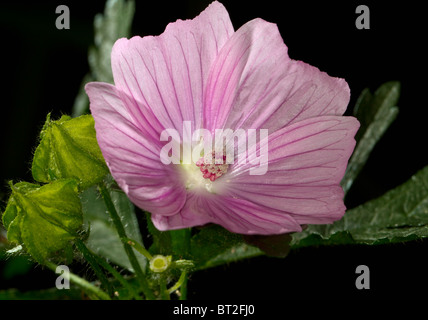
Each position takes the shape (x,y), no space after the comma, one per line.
(204,73)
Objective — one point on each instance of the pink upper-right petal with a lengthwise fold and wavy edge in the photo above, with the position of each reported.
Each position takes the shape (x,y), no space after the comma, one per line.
(254,84)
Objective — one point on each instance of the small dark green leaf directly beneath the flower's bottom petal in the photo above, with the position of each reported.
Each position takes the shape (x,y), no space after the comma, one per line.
(214,246)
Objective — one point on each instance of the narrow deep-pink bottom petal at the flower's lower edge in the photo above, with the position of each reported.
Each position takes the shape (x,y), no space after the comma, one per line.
(236,215)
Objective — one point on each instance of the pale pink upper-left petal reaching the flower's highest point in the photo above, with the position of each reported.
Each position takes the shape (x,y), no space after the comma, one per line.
(165,76)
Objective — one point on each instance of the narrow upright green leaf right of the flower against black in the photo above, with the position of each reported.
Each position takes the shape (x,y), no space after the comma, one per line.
(375,113)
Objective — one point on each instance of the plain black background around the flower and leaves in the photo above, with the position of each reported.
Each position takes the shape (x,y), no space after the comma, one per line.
(42,67)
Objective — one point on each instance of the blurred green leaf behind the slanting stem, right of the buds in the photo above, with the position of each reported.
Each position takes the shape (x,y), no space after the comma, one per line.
(103,238)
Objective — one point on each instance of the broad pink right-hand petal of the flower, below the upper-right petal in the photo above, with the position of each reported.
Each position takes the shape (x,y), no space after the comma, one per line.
(307,161)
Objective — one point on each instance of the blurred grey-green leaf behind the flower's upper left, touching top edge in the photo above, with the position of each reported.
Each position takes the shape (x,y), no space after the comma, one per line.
(115,23)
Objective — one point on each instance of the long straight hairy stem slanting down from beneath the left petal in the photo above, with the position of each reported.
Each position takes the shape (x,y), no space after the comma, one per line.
(128,249)
